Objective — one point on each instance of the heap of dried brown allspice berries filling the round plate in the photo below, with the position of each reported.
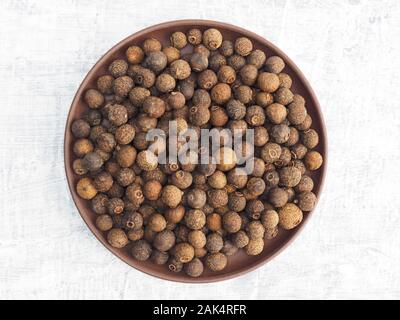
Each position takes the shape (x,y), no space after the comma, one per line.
(190,216)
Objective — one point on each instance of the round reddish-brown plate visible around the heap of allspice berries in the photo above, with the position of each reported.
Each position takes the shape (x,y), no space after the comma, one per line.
(240,263)
